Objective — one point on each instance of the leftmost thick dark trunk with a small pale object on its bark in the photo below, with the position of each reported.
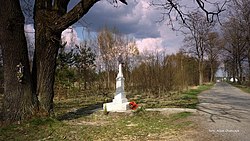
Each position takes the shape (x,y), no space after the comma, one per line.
(19,102)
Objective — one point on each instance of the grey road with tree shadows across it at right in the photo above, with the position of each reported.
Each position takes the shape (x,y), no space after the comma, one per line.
(224,113)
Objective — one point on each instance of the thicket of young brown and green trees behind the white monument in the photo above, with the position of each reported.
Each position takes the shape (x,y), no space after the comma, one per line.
(152,73)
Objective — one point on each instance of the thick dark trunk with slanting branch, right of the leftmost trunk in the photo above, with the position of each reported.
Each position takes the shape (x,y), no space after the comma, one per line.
(51,18)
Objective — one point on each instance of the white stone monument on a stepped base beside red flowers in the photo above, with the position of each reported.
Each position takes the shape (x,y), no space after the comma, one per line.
(120,102)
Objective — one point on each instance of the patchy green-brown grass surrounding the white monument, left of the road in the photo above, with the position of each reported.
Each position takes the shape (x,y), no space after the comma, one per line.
(78,119)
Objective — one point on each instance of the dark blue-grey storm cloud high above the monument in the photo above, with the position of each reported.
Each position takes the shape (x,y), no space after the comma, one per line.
(134,18)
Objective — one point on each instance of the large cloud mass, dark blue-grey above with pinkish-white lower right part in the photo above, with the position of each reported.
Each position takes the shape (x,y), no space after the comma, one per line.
(137,19)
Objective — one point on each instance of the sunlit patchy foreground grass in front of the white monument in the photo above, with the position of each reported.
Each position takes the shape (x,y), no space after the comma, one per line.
(115,126)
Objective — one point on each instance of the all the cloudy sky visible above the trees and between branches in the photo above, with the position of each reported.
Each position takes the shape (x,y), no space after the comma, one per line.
(137,19)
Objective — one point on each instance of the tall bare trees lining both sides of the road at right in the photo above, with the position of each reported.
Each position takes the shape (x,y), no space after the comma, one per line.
(224,43)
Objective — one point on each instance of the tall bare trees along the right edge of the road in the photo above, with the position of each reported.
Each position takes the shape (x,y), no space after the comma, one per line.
(236,34)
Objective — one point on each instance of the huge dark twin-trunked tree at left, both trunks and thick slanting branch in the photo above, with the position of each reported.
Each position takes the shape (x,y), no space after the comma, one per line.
(20,89)
